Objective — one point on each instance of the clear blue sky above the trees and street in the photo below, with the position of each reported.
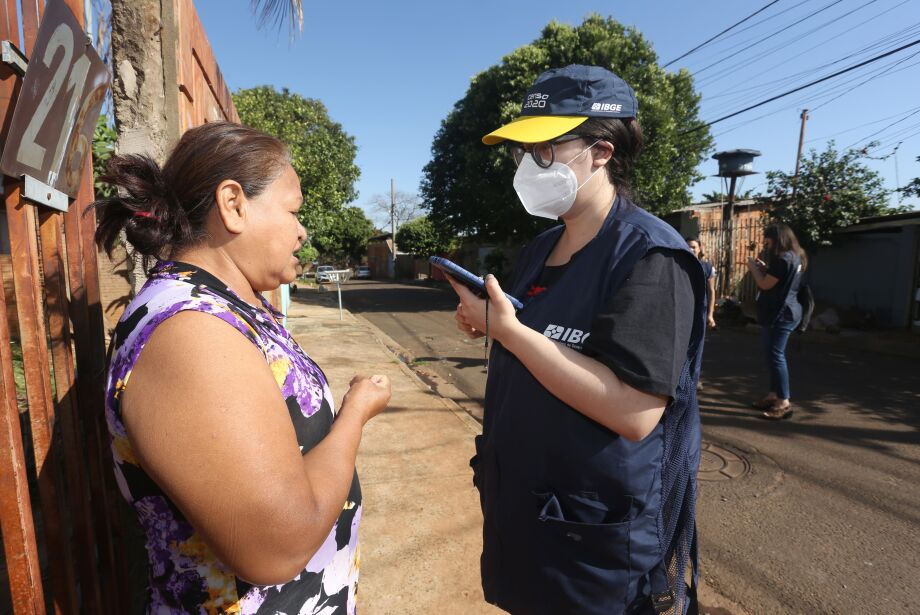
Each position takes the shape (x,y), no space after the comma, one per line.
(389,72)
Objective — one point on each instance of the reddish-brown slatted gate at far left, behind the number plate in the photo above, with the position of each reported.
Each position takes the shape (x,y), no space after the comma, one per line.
(58,500)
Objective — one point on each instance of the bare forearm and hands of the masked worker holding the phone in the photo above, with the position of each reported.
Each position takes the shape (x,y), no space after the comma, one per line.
(583,383)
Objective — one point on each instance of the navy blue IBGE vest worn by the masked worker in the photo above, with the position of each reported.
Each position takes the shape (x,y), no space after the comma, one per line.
(577,519)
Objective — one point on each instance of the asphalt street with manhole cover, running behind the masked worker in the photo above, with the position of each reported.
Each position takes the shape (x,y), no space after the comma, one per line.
(816,514)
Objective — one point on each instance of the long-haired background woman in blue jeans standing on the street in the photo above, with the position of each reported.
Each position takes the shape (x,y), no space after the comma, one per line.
(778,310)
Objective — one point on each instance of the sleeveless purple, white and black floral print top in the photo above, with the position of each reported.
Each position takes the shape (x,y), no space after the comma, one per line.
(185,576)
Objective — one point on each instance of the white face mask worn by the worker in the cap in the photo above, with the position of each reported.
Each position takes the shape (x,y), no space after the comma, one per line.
(550,192)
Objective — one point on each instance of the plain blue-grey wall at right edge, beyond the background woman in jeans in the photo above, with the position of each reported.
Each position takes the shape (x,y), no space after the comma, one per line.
(872,271)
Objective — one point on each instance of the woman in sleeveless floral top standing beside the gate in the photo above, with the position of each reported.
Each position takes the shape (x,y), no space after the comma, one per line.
(225,436)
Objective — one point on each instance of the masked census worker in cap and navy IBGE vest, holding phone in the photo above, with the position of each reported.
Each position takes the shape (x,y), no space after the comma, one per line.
(587,462)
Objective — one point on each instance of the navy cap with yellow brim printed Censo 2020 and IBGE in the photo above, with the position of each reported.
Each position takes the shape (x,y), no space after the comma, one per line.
(562,98)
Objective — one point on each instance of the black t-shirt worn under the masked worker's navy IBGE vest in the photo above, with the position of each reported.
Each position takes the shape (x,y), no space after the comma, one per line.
(643,332)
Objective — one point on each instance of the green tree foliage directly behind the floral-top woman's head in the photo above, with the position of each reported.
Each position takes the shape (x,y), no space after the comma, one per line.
(323,155)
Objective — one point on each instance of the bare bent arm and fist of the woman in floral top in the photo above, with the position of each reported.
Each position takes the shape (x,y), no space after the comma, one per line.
(207,421)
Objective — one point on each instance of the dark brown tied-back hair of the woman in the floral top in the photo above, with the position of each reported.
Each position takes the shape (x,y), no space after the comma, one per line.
(163,211)
